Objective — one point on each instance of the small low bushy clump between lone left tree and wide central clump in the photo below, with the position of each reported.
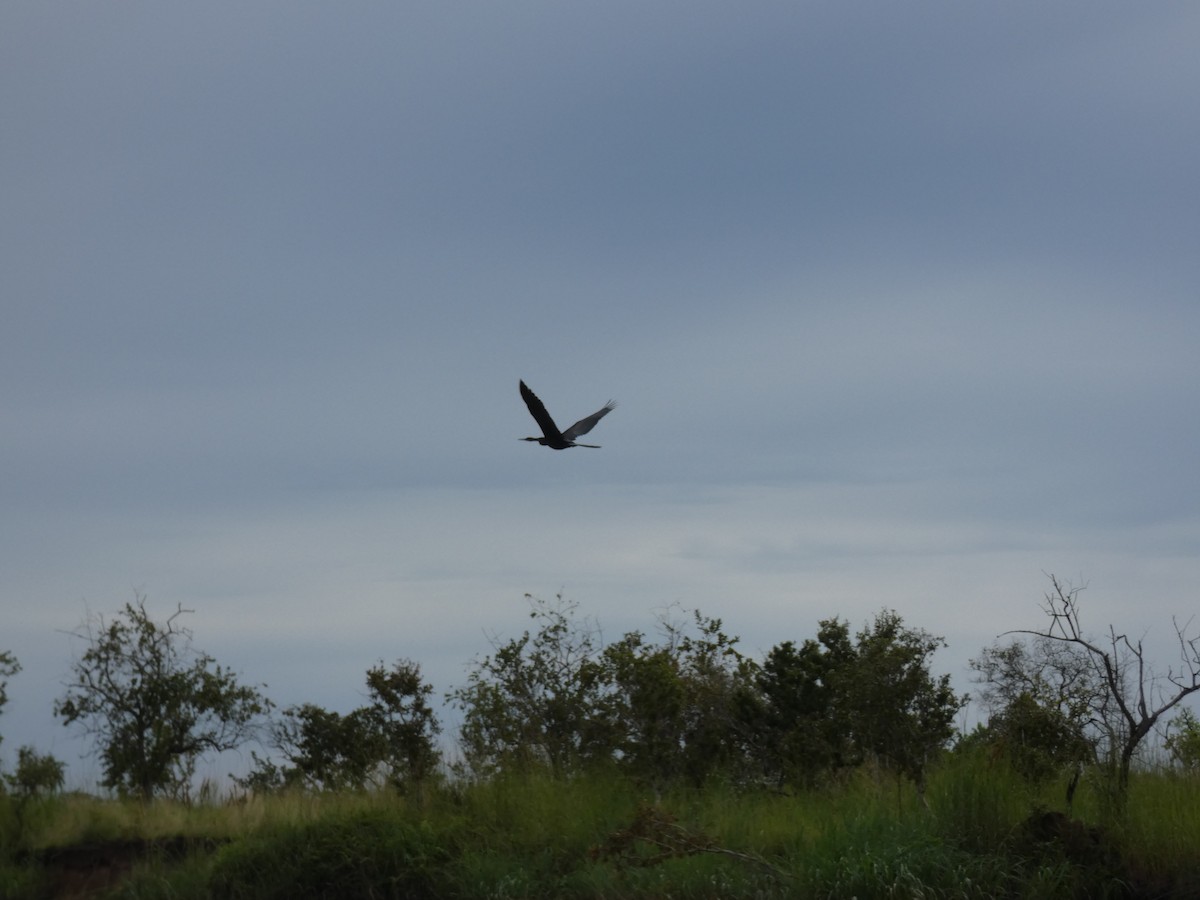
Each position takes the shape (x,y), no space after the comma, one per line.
(388,742)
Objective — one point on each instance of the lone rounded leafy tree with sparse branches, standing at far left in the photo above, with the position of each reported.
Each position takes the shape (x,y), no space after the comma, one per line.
(154,704)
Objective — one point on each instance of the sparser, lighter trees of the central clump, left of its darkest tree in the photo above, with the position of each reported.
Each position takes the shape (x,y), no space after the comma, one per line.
(557,699)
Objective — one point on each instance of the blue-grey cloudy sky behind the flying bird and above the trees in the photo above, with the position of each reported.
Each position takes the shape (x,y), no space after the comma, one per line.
(901,304)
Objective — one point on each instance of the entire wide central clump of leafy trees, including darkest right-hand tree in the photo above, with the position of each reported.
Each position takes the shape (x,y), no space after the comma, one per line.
(689,706)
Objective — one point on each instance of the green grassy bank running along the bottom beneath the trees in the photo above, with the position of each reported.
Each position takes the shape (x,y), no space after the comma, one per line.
(985,835)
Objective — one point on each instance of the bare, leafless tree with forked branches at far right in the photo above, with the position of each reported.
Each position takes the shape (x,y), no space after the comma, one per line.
(1136,697)
